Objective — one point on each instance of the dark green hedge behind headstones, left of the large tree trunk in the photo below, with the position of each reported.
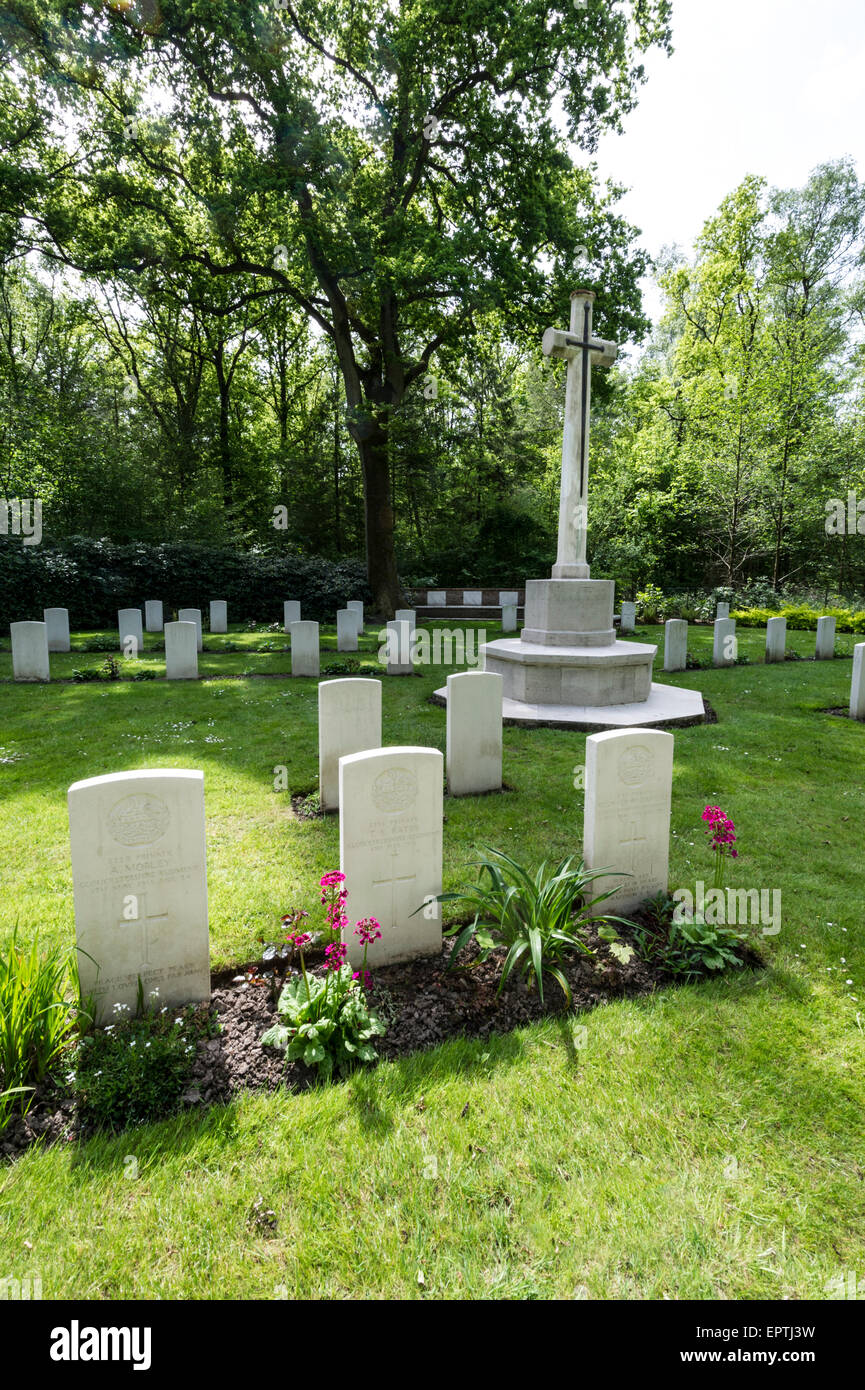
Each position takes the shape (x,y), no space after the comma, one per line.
(95,579)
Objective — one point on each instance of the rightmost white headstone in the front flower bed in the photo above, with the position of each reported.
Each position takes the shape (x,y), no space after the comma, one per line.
(626,826)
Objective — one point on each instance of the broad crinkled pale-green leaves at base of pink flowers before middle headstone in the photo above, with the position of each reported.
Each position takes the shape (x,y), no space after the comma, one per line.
(328,1022)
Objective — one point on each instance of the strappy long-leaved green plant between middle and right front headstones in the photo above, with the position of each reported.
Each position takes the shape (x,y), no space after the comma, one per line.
(540,919)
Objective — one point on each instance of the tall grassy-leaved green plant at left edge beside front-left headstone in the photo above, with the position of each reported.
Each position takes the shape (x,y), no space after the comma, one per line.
(37,1017)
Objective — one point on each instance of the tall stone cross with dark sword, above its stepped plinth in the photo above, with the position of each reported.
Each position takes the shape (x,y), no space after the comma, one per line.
(581,351)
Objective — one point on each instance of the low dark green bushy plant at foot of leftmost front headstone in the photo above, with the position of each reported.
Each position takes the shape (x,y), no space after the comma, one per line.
(136,1070)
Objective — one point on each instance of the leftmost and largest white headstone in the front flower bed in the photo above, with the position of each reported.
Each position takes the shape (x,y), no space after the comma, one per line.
(141,888)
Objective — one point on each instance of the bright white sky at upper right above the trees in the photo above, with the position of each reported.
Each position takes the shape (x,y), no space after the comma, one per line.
(754,87)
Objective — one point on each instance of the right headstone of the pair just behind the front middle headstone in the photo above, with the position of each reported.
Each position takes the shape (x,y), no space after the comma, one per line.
(475,733)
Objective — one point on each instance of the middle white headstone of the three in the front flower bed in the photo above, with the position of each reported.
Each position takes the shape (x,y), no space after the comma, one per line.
(391,850)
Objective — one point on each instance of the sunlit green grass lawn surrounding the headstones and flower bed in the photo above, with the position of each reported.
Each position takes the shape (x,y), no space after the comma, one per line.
(706,1143)
